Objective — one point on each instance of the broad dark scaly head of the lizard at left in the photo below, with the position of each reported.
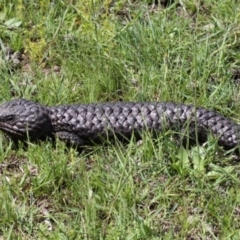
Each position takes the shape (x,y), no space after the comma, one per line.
(22,119)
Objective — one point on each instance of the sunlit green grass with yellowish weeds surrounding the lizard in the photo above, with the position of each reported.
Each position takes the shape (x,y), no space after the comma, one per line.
(130,51)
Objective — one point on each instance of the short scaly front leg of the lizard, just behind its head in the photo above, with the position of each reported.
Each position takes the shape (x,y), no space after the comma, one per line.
(70,139)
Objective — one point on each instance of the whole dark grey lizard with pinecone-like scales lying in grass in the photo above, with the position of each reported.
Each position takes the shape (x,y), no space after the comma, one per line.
(76,124)
